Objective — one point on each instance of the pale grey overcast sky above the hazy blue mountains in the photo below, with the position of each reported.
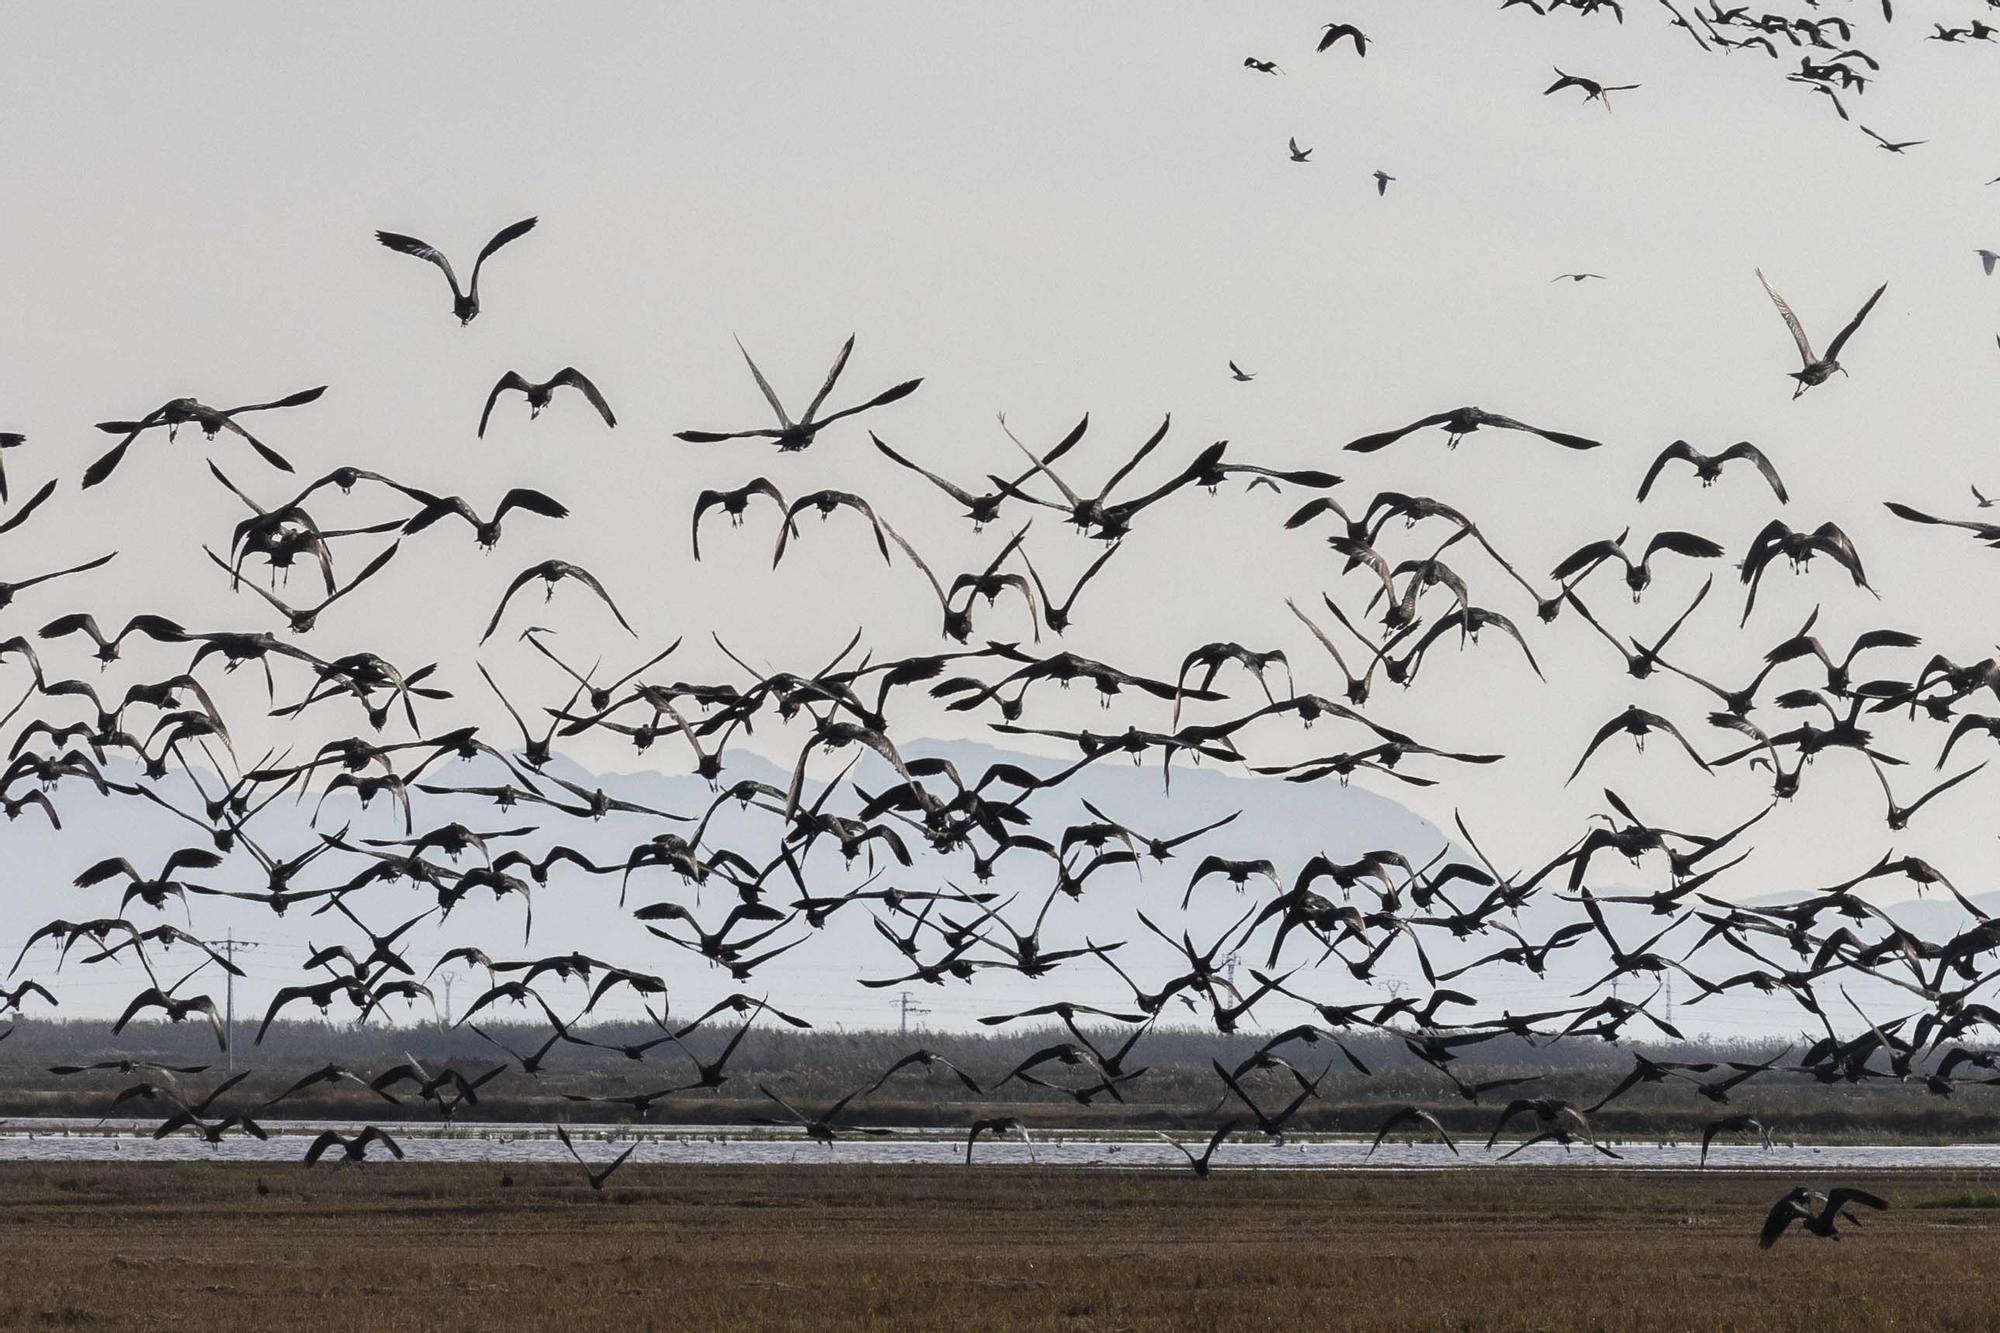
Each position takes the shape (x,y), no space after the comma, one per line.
(1045,211)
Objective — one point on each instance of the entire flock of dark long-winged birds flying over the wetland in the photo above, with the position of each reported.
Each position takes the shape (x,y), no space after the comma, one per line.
(1419,577)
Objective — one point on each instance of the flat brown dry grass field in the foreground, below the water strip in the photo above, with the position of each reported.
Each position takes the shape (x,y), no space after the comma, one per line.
(417,1248)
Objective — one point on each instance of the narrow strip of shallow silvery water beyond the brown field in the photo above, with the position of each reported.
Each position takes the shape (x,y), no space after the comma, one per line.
(77,1140)
